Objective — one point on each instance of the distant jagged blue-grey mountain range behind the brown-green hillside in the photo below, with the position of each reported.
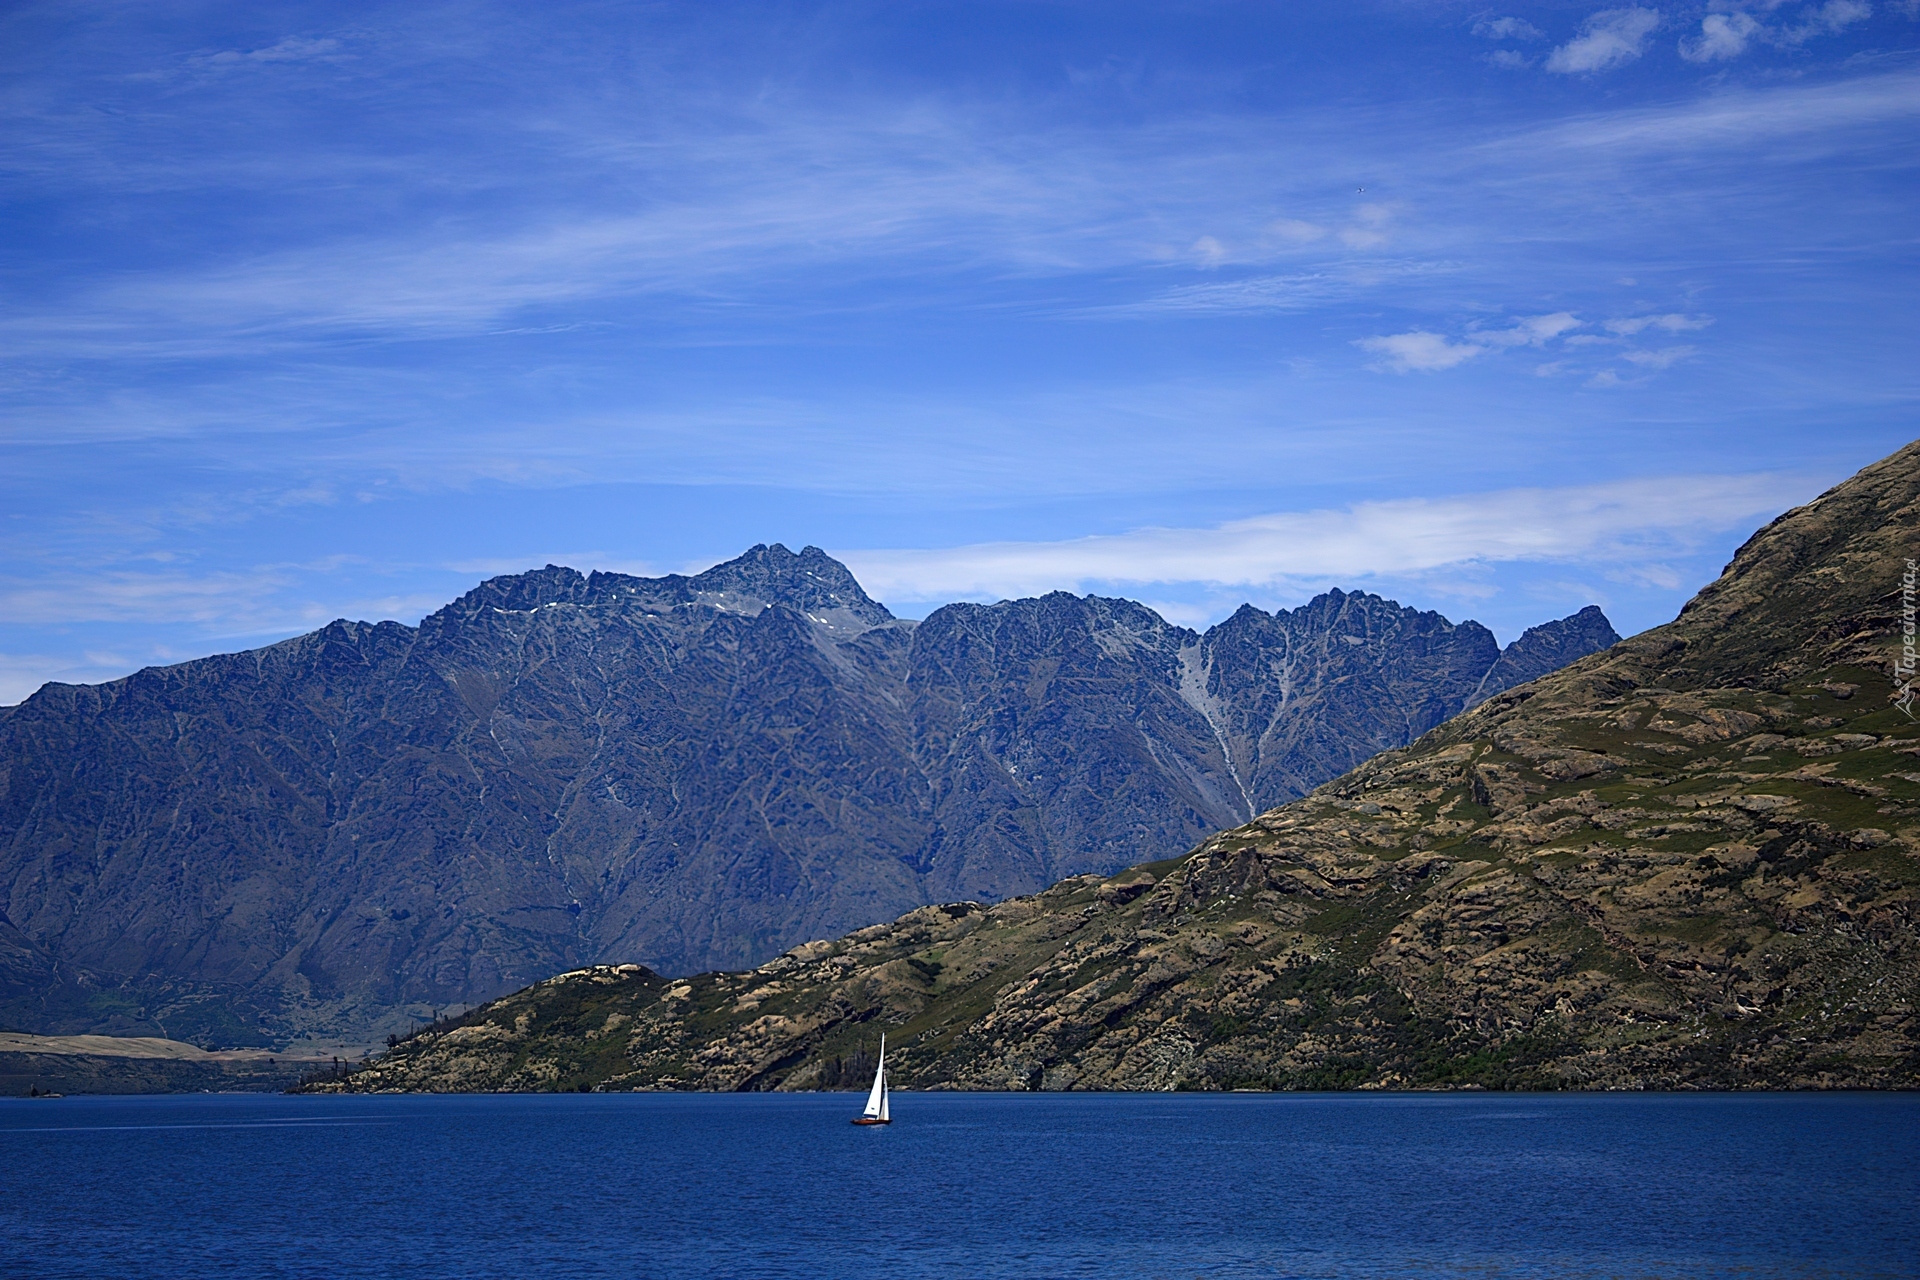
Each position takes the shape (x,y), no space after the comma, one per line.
(688,772)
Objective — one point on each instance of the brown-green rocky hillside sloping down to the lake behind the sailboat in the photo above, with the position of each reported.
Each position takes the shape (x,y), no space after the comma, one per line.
(1691,861)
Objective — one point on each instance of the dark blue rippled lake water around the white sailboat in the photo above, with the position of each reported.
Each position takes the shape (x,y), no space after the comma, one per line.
(965,1185)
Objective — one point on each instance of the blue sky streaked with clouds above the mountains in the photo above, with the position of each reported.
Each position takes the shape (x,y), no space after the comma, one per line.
(333,310)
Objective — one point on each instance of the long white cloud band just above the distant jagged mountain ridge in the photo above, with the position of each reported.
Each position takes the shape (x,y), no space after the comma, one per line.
(1620,525)
